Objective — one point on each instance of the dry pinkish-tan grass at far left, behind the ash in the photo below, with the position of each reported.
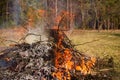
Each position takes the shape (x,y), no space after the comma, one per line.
(11,35)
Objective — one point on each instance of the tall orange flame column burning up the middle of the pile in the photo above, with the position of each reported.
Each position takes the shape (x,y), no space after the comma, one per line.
(63,60)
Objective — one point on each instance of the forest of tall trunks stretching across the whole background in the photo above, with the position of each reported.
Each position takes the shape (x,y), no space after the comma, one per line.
(88,14)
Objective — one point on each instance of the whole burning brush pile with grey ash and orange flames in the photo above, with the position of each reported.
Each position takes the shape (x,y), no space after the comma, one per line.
(55,59)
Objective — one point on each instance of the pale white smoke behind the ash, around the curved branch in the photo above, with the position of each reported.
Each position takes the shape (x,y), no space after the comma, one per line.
(38,32)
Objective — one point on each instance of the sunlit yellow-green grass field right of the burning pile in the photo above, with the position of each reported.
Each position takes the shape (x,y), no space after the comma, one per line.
(98,44)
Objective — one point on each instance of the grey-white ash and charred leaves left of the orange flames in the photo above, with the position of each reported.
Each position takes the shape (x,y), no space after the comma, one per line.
(27,62)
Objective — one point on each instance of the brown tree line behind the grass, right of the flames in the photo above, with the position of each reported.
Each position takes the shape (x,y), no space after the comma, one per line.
(97,14)
